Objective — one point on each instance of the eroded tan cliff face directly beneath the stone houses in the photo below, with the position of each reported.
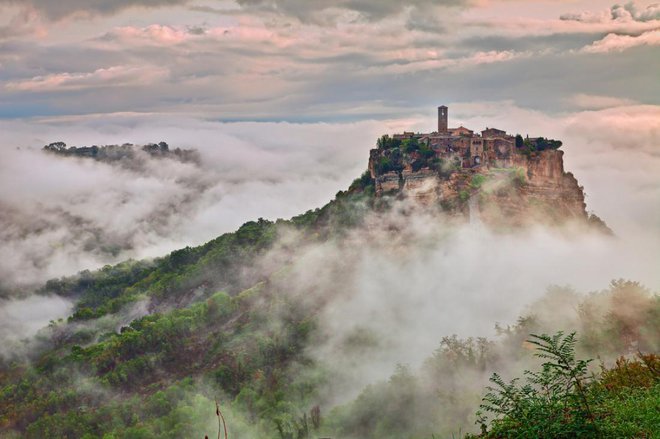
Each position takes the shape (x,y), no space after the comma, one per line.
(526,189)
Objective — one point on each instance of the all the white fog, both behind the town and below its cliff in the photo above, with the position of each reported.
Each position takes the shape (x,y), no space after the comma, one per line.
(61,215)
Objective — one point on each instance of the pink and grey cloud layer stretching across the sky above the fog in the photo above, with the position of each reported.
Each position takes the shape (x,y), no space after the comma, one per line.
(254,65)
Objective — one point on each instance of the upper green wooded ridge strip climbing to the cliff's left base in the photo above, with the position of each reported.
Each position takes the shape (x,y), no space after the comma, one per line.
(189,274)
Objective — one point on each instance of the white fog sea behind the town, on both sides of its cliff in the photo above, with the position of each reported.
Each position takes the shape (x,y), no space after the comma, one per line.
(55,221)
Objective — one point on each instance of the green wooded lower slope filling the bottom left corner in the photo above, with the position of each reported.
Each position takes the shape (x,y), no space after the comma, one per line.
(231,346)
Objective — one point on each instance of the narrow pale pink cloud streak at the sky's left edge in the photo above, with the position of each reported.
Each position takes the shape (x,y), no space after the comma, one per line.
(116,76)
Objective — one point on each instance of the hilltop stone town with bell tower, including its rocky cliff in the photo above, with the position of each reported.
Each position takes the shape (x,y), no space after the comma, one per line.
(511,179)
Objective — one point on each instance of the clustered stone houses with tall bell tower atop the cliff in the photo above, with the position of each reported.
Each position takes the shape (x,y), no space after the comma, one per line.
(492,147)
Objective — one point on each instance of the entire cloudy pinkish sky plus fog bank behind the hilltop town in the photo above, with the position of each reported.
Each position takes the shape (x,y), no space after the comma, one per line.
(284,98)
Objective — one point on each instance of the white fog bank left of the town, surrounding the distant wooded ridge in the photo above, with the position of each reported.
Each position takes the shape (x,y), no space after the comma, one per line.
(56,222)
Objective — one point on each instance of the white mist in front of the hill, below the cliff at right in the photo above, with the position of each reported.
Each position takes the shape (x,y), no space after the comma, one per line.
(409,280)
